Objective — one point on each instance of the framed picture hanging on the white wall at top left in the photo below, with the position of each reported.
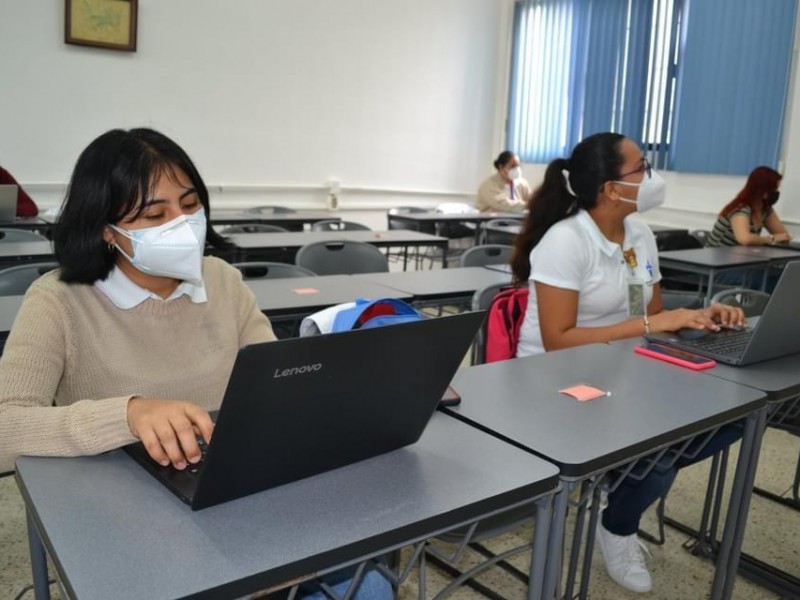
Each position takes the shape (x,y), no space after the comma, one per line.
(103,23)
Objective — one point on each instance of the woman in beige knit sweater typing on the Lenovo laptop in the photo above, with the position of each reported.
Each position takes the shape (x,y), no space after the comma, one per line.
(135,335)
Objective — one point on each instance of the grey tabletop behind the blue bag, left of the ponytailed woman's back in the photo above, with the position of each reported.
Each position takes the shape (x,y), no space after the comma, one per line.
(438,282)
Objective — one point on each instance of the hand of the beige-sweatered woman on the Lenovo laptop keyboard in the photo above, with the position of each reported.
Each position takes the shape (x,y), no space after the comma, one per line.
(168,429)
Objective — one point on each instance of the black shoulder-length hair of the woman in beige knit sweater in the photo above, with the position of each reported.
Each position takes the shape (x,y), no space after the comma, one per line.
(113,177)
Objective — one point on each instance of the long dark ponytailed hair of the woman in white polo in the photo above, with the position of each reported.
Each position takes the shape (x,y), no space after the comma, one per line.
(594,161)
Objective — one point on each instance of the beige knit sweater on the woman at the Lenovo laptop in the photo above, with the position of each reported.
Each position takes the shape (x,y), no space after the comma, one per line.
(73,360)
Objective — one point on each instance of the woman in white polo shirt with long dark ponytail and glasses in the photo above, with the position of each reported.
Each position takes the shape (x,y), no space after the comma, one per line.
(594,277)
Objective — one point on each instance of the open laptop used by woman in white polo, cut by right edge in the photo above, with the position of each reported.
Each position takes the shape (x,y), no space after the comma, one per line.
(775,333)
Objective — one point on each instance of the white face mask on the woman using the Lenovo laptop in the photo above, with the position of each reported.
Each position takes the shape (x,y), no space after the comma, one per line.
(174,249)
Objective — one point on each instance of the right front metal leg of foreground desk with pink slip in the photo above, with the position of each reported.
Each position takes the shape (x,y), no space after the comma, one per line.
(731,547)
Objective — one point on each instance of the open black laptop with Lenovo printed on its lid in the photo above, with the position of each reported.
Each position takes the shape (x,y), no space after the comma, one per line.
(298,407)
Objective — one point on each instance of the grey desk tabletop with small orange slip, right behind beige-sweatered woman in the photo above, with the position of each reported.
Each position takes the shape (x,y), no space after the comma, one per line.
(303,293)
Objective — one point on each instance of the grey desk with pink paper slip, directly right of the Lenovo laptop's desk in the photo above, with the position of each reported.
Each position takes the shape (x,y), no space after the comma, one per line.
(652,406)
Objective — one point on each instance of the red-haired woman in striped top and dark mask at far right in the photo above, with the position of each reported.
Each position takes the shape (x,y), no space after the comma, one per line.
(741,221)
